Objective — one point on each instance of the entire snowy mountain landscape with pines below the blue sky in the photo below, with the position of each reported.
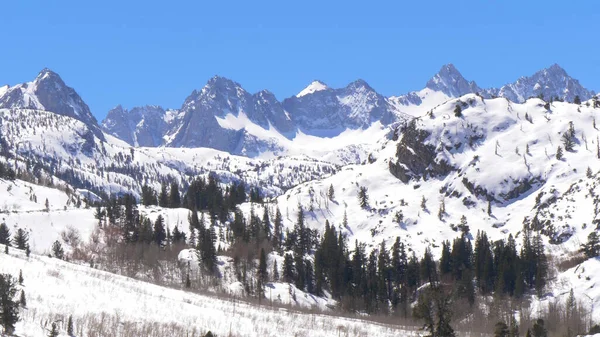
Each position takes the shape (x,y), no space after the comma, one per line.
(312,202)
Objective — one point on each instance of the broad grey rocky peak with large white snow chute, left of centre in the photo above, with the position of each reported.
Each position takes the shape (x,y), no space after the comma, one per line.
(224,116)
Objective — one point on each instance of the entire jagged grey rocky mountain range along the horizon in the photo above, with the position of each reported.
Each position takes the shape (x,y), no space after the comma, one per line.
(224,116)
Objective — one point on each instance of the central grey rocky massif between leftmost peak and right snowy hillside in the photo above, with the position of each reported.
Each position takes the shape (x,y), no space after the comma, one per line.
(224,116)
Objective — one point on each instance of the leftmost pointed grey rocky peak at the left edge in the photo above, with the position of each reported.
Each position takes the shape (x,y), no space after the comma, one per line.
(48,92)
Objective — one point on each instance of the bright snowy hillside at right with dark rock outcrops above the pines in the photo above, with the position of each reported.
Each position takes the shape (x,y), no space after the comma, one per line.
(497,151)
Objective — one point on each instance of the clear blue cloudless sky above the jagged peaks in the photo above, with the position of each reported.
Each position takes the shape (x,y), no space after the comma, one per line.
(157,52)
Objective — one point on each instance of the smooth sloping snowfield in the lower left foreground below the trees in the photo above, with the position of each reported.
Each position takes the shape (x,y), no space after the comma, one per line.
(56,289)
